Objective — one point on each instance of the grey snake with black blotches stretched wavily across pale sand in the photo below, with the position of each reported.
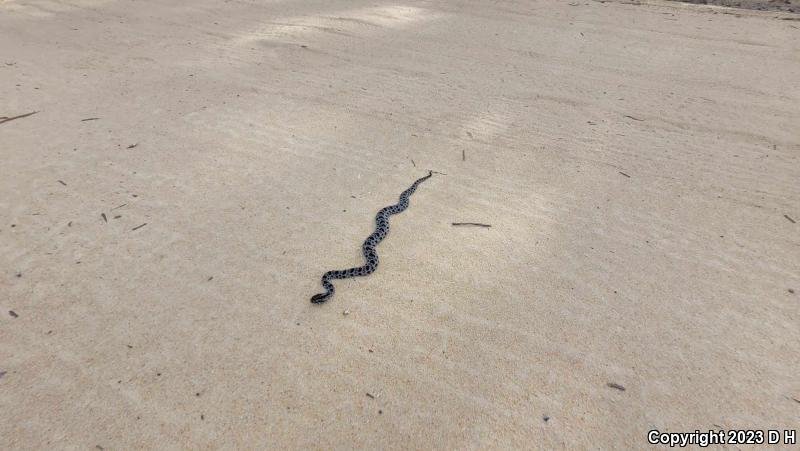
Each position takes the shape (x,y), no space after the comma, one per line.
(368,248)
